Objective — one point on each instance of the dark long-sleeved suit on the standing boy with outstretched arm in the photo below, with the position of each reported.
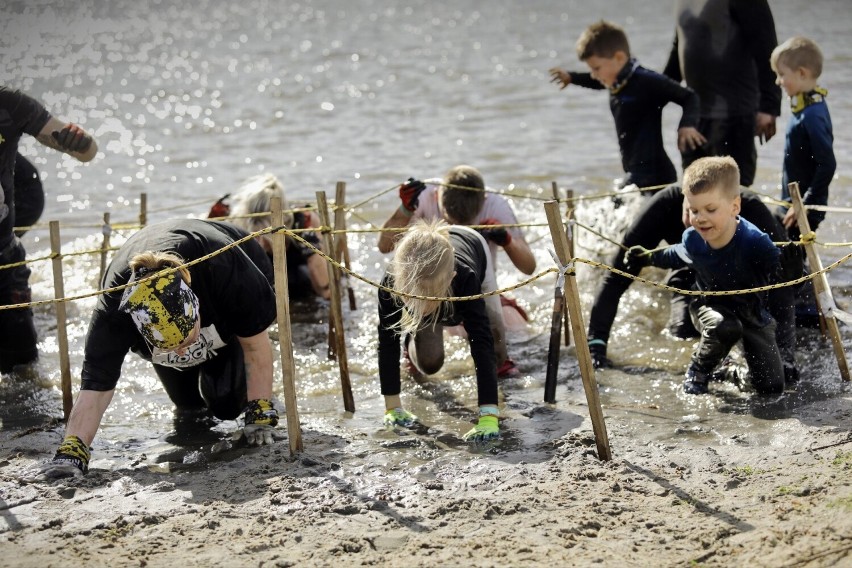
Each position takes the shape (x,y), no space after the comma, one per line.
(637,100)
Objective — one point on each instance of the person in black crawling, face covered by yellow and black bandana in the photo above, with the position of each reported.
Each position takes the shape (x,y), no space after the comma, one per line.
(202,327)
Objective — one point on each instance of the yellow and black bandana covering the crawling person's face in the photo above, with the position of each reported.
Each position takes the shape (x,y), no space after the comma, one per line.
(164,309)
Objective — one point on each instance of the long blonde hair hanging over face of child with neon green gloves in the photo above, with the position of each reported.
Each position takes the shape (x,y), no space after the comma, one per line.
(423,266)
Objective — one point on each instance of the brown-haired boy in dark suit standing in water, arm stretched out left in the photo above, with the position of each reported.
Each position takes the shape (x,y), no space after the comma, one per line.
(637,97)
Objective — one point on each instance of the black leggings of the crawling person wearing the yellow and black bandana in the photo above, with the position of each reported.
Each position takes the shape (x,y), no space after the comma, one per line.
(218,384)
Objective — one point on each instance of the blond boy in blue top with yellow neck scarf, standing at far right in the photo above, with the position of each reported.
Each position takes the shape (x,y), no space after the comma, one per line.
(808,153)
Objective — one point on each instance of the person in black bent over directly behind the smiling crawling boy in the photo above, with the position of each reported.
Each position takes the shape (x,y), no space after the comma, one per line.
(662,218)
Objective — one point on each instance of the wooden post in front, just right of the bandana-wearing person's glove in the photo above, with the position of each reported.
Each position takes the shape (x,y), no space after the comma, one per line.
(285,335)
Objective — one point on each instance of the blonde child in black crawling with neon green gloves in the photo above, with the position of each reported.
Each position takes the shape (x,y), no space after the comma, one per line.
(437,260)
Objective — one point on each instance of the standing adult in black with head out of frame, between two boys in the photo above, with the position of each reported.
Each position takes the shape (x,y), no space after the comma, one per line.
(721,50)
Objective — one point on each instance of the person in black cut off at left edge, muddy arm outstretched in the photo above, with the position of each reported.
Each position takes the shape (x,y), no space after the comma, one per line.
(21,114)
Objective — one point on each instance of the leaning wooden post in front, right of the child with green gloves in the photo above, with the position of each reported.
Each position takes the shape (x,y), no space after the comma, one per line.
(584,358)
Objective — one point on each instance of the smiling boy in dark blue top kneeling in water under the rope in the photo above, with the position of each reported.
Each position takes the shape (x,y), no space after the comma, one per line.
(727,253)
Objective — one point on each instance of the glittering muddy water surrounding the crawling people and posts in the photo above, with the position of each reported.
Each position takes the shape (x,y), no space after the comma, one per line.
(185,108)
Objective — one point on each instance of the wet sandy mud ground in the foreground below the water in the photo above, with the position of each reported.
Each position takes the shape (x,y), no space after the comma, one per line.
(424,499)
